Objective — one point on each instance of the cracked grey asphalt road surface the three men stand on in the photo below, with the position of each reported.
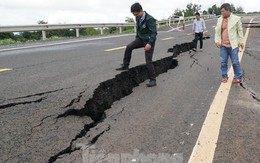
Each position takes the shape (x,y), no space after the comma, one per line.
(56,104)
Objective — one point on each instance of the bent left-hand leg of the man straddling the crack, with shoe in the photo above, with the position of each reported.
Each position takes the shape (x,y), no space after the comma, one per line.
(137,43)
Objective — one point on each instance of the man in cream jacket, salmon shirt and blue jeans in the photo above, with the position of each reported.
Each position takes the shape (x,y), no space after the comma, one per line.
(229,37)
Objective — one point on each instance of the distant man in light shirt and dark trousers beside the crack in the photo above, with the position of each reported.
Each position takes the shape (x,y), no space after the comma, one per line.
(197,29)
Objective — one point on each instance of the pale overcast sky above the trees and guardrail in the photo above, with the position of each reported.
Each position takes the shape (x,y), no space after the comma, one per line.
(29,12)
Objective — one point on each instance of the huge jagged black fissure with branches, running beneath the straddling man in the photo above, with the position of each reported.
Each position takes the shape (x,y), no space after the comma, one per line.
(113,90)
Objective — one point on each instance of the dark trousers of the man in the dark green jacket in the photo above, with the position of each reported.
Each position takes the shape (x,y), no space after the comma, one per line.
(138,43)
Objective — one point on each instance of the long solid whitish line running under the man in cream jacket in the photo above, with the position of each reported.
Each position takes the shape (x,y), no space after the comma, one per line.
(205,146)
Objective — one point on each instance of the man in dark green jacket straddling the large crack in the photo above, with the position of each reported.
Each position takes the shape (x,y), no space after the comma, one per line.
(145,37)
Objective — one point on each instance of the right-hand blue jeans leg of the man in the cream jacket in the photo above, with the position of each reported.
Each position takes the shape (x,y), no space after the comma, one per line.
(235,62)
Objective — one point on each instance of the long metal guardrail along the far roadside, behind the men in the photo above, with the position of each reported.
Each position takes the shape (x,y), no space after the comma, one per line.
(101,26)
